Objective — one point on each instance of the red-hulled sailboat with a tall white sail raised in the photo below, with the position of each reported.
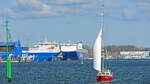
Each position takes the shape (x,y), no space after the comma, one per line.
(103,75)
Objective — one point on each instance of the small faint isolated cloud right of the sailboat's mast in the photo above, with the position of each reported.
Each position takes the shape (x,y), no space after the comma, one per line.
(129,14)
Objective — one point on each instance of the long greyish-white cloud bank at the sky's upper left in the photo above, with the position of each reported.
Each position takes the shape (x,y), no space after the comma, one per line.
(39,8)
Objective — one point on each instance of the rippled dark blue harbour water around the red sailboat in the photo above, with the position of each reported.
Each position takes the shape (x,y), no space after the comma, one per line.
(72,72)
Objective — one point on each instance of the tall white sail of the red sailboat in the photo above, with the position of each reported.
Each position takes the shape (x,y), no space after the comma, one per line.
(97,52)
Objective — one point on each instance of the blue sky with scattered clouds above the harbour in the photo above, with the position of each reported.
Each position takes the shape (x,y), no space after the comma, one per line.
(126,22)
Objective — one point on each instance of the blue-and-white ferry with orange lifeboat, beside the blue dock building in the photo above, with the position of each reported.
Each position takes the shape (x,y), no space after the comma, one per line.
(43,51)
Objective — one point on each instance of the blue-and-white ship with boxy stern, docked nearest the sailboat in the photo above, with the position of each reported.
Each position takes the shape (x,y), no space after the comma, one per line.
(73,51)
